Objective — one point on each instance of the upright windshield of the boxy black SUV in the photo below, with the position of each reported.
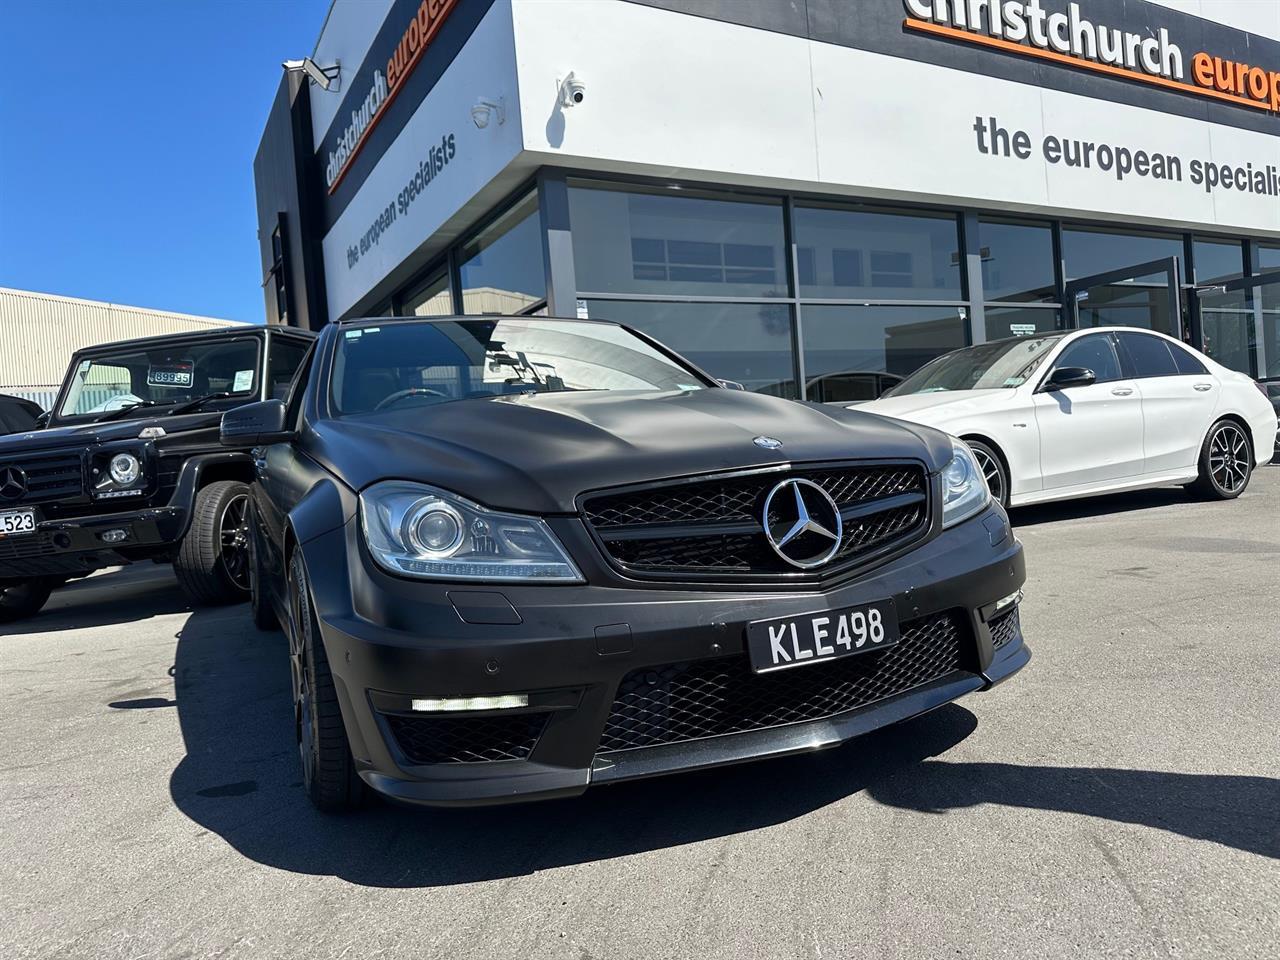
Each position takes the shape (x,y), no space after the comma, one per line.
(140,378)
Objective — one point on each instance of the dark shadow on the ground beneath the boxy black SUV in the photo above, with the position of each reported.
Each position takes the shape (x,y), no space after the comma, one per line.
(126,596)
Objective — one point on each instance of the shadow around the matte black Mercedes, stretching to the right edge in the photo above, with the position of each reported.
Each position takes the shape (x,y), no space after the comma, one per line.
(240,780)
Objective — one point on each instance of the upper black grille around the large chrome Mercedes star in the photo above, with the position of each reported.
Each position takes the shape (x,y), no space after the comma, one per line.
(712,528)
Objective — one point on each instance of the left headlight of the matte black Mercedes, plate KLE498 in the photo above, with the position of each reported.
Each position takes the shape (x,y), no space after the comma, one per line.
(422,532)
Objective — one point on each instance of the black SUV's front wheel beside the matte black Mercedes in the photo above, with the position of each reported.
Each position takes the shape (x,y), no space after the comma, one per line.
(213,560)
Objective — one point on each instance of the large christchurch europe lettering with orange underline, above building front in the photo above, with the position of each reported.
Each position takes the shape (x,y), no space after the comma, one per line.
(1071,38)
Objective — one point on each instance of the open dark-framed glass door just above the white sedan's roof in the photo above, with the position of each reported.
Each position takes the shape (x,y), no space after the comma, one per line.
(1144,295)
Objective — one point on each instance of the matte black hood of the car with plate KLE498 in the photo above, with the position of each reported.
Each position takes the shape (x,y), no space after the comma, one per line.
(538,454)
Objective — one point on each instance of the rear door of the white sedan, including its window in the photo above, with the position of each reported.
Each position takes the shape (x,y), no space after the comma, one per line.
(1180,397)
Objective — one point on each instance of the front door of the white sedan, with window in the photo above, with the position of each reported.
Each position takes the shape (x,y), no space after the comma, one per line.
(1090,435)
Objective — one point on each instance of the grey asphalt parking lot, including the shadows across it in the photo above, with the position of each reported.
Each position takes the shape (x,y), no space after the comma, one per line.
(1119,798)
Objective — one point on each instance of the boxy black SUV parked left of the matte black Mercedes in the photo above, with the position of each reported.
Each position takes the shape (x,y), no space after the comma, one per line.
(130,465)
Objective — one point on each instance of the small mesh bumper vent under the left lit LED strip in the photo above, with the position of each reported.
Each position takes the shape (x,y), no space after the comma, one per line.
(468,739)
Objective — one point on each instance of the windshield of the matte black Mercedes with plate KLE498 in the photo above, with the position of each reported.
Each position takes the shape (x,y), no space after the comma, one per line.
(419,363)
